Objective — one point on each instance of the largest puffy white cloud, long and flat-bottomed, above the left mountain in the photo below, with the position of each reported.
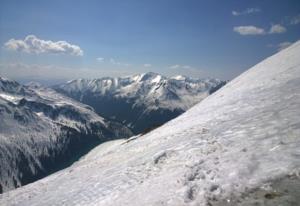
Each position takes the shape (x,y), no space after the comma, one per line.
(32,44)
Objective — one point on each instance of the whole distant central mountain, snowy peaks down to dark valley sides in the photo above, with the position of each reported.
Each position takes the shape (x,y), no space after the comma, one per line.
(140,101)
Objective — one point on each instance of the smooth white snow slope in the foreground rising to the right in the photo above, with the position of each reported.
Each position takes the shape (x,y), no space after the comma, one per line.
(239,146)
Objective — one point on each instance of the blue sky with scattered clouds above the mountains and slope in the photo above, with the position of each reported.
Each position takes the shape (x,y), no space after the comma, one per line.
(199,38)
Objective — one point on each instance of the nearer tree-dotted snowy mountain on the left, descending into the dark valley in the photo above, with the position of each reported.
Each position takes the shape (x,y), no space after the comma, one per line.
(42,131)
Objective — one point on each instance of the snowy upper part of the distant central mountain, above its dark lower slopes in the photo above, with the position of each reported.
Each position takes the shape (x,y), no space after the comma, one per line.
(148,86)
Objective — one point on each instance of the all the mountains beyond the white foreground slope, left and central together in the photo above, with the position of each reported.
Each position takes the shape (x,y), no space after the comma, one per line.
(43,130)
